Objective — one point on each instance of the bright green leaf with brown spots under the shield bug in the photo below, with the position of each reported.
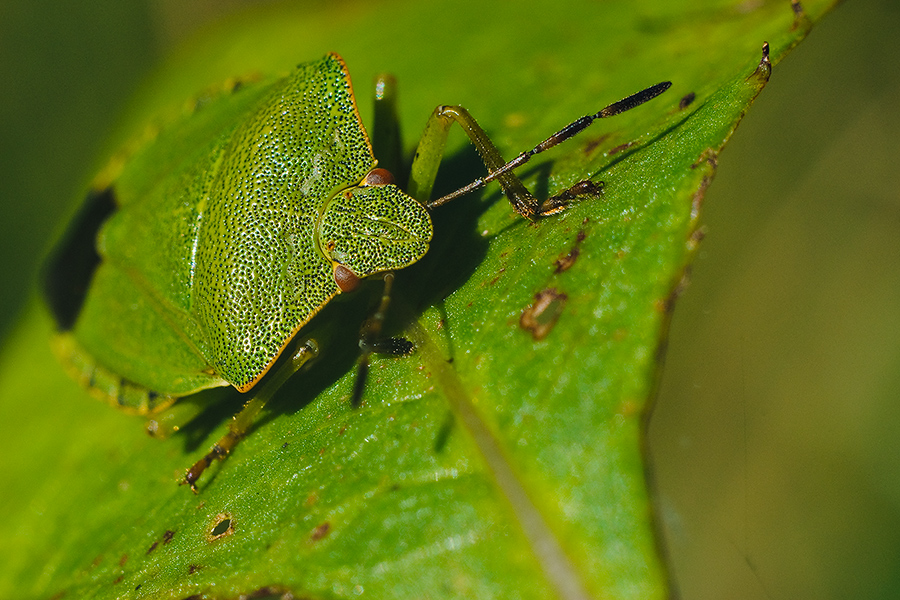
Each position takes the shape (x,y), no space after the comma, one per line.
(497,461)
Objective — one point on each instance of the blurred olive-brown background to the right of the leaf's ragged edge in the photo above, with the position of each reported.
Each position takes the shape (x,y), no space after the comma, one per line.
(776,433)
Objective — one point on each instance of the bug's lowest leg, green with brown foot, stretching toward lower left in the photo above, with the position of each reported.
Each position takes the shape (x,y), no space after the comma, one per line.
(242,421)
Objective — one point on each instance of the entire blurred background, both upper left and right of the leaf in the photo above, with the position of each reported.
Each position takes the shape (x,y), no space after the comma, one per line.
(774,437)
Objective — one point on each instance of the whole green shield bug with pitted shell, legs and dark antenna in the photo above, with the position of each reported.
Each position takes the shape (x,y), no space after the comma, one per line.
(203,250)
